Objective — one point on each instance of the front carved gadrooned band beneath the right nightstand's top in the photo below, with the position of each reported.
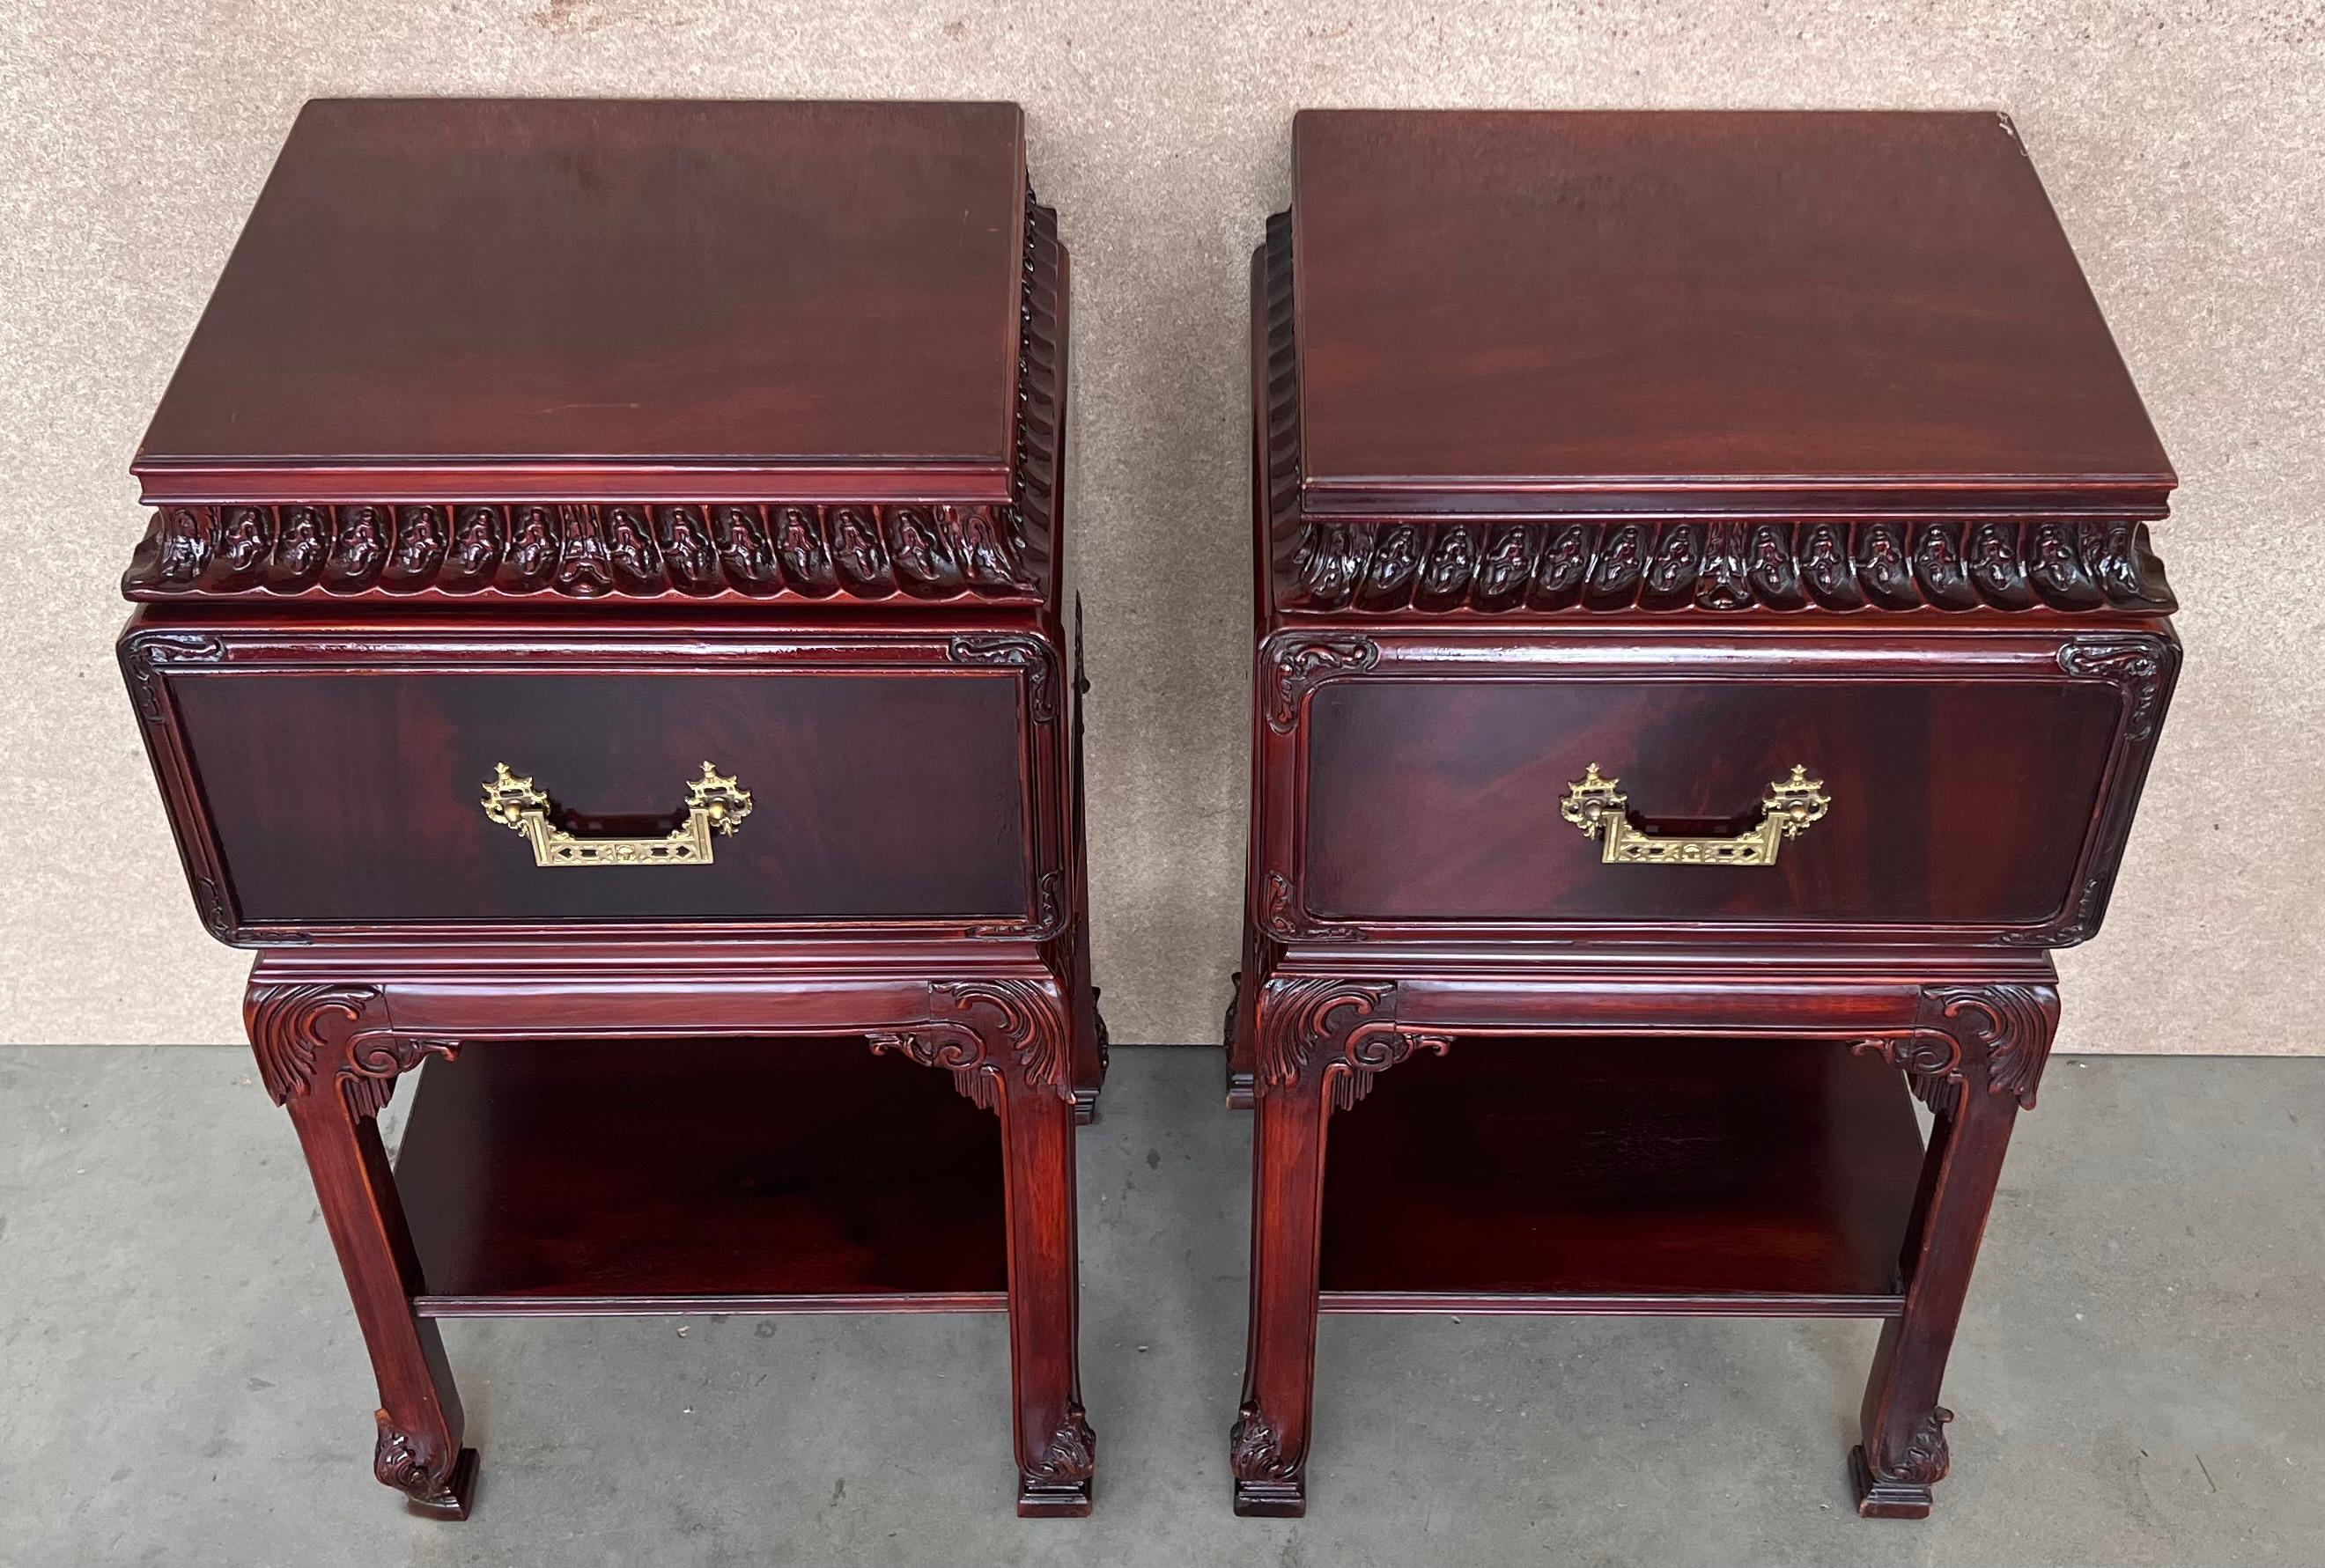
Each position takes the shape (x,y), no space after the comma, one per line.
(1731,566)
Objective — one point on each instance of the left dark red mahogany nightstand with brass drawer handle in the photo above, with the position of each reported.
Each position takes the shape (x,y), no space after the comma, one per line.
(601,638)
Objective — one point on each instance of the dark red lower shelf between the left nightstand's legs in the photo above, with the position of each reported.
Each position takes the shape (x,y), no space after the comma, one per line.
(699,1177)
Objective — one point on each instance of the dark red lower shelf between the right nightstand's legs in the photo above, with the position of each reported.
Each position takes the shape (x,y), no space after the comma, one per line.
(1624,1177)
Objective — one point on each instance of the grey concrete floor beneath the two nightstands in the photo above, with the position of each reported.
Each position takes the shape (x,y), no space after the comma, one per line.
(2140,1376)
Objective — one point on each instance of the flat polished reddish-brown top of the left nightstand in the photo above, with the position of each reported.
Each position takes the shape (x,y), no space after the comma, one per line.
(464,285)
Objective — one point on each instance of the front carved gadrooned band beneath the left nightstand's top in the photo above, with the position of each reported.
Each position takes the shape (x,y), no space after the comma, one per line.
(582,552)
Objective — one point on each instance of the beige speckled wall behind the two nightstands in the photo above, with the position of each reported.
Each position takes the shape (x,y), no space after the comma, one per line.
(2180,143)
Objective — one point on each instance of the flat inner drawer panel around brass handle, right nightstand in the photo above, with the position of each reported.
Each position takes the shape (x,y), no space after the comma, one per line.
(1440,800)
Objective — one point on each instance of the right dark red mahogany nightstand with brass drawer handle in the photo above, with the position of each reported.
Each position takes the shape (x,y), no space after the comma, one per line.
(1708,659)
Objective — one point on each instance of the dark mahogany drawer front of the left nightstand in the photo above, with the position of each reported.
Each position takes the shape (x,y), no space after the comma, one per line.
(357,798)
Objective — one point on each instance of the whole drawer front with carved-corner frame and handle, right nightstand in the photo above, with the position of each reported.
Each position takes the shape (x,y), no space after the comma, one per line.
(1975,786)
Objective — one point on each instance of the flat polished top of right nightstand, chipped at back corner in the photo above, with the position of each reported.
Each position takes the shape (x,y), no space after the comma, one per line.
(1624,301)
